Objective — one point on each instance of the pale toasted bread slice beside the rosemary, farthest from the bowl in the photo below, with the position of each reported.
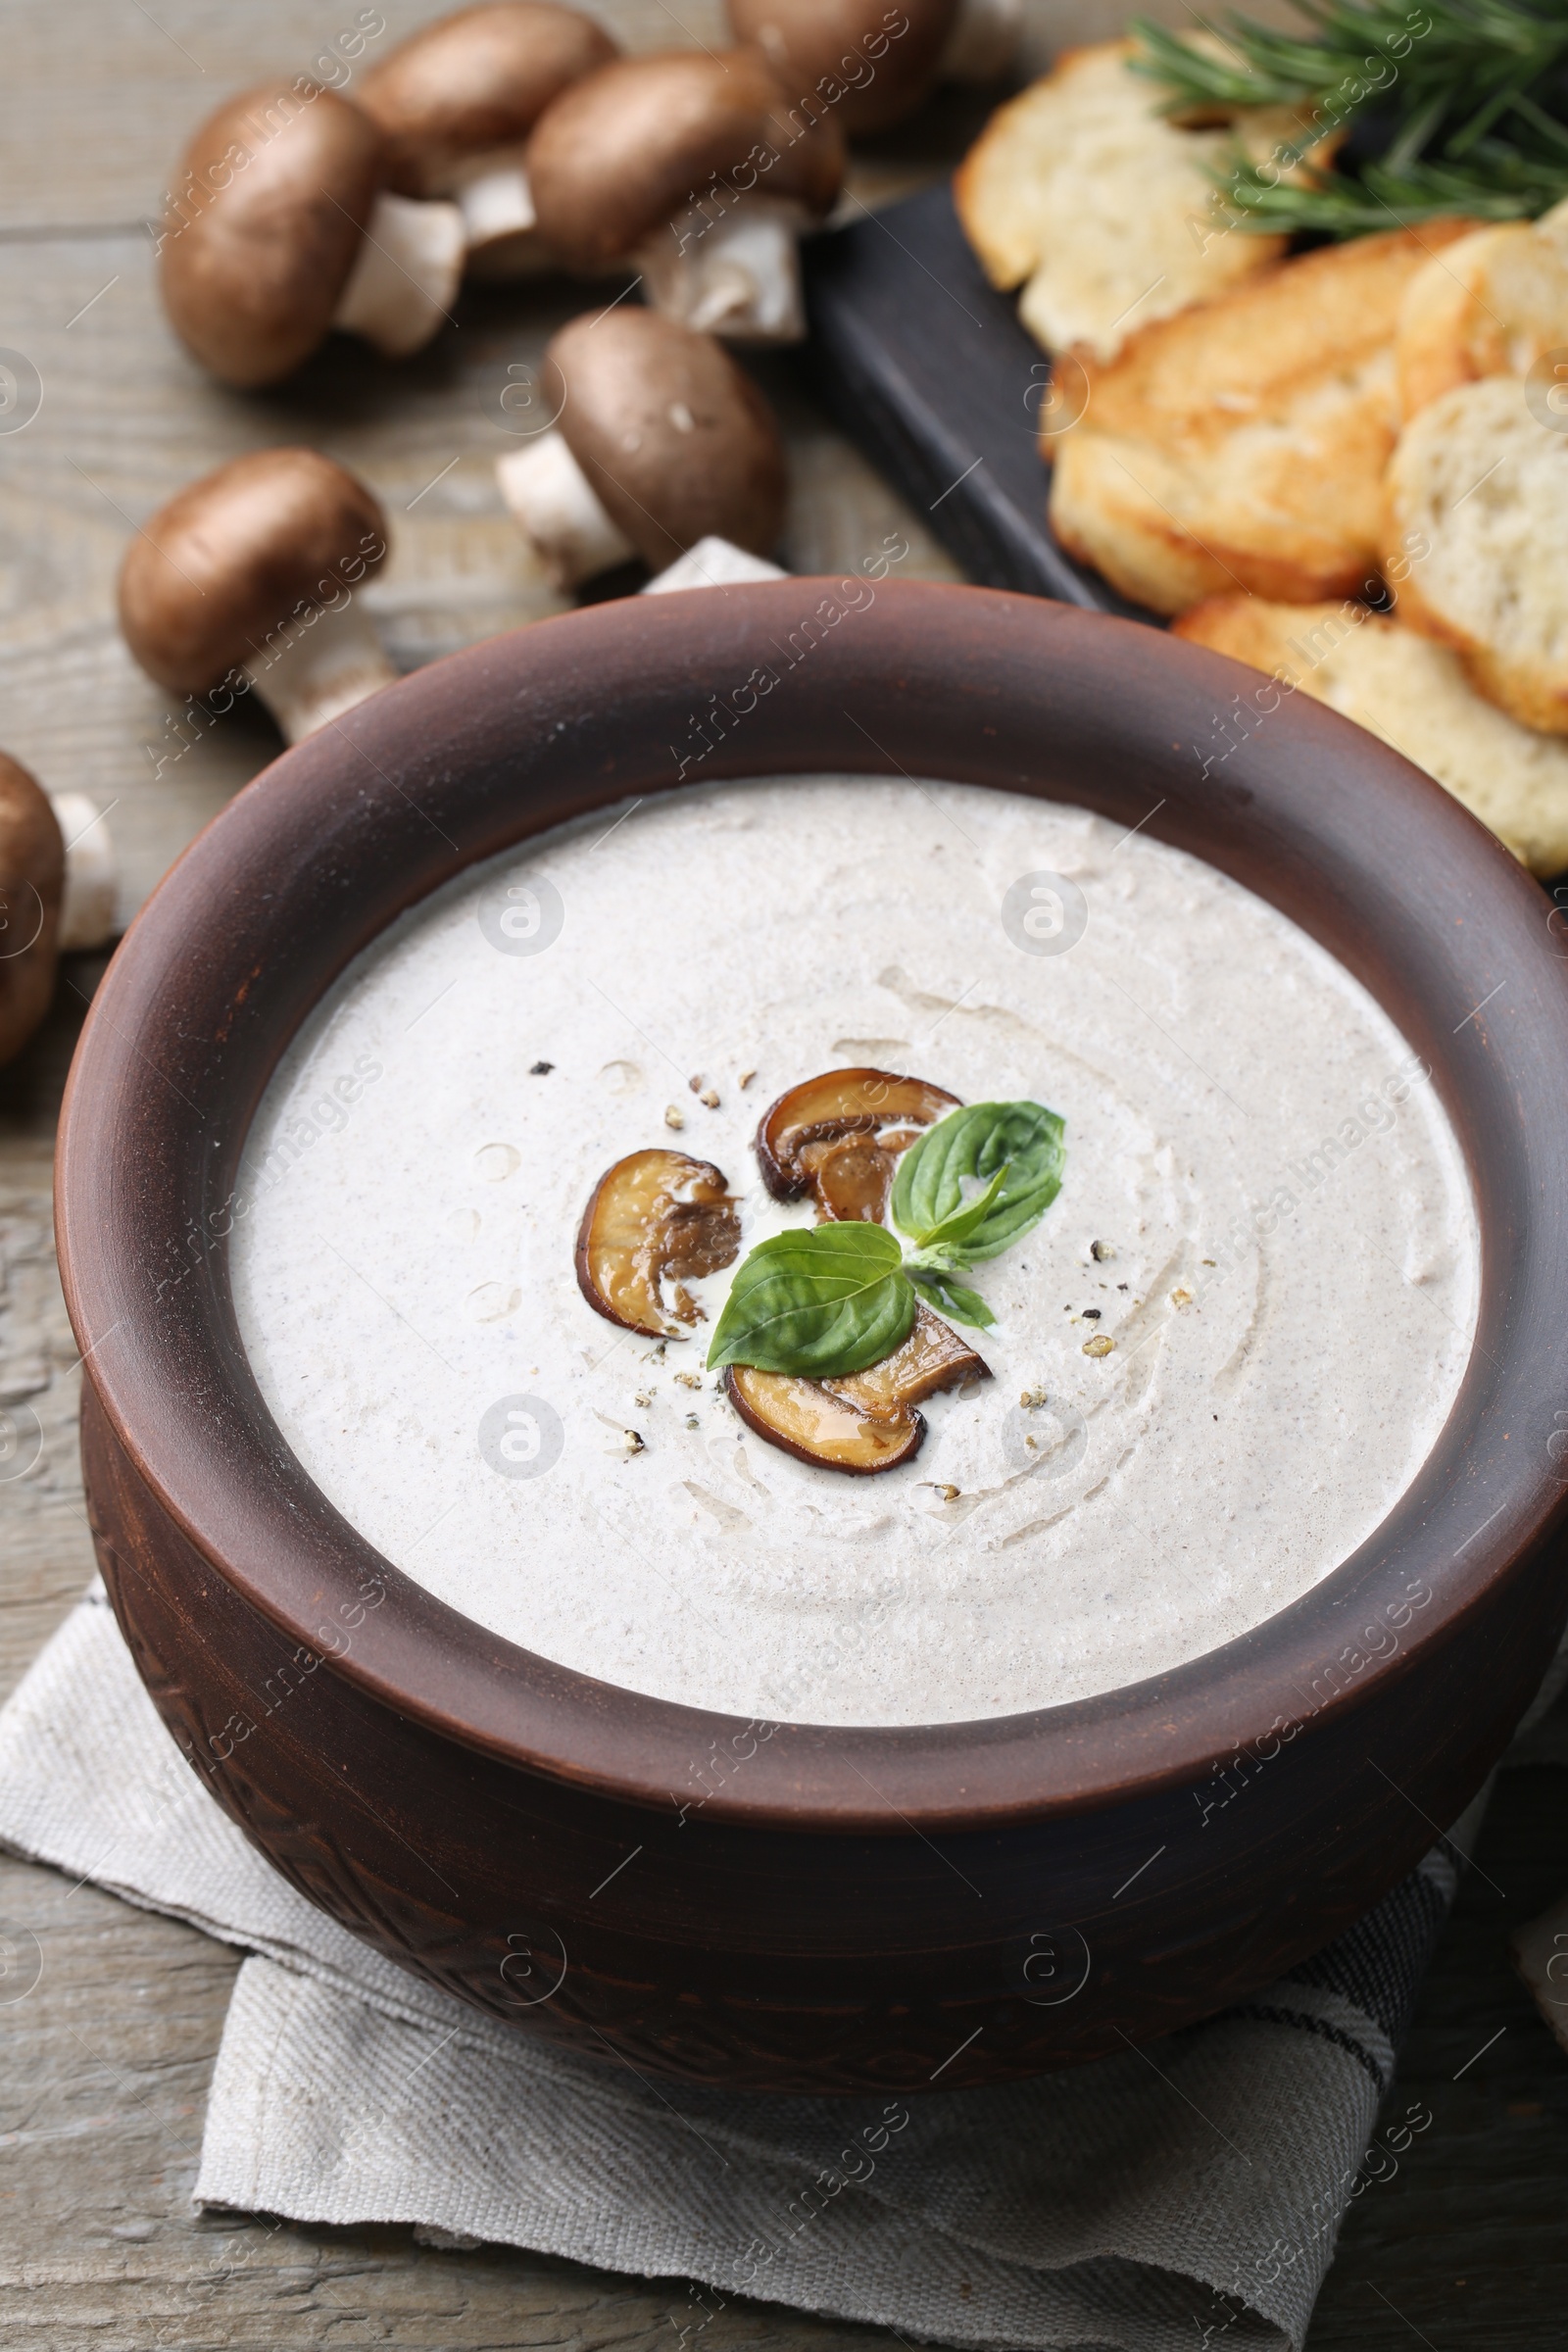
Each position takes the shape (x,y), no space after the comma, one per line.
(1106,206)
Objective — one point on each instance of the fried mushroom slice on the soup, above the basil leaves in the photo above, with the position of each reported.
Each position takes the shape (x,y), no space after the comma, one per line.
(840,1135)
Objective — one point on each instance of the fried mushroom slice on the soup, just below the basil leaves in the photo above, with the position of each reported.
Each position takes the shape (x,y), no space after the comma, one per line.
(869,1419)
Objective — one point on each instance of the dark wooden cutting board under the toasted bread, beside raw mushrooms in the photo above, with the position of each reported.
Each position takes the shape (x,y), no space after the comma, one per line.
(930,373)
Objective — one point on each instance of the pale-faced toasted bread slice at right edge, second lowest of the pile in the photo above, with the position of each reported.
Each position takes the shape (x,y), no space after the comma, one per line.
(1482,483)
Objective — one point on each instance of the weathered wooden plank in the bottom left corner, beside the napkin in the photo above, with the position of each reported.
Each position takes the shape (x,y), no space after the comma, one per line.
(100,2130)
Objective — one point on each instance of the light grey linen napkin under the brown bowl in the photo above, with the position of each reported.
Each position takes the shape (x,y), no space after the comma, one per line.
(1151,2200)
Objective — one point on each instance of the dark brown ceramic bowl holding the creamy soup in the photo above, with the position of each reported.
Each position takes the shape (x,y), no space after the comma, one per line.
(852,1906)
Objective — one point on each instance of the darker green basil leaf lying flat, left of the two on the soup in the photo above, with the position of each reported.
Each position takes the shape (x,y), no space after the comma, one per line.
(817,1302)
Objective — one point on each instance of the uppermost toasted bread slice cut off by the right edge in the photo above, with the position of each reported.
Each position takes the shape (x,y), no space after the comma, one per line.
(1489,307)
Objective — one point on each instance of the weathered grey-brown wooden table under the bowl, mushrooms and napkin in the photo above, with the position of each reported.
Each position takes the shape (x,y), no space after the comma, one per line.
(107,2059)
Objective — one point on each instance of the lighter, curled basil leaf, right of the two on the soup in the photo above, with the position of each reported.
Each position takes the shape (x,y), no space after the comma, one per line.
(1017,1142)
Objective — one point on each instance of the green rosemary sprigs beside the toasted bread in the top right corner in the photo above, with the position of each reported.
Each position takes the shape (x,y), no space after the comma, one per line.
(1475,95)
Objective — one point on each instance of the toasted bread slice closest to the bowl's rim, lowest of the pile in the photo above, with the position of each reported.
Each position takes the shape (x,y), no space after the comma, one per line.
(1416,697)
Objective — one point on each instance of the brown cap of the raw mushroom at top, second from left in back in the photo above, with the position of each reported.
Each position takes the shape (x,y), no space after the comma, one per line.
(476,81)
